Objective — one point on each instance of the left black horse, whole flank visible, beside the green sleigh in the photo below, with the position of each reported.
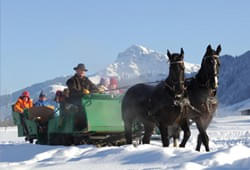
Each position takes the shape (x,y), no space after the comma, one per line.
(150,105)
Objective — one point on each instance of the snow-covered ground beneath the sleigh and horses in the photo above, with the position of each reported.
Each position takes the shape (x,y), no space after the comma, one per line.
(229,144)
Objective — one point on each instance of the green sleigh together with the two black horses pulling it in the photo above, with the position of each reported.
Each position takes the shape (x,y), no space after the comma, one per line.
(113,120)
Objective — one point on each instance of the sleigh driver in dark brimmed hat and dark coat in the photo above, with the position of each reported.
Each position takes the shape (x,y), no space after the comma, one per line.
(79,85)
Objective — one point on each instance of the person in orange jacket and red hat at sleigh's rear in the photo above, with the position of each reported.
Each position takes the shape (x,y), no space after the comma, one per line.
(23,102)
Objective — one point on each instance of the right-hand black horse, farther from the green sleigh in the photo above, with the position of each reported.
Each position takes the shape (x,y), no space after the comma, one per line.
(202,95)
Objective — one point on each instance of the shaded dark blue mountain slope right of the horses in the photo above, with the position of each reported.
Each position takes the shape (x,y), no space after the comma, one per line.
(234,80)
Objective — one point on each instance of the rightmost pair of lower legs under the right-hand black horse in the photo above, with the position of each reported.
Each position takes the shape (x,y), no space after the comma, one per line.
(202,137)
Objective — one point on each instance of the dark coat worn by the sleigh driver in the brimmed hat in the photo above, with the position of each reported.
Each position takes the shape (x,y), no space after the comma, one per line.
(76,86)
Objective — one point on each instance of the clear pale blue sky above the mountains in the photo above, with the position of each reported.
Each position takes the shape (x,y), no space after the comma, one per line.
(44,39)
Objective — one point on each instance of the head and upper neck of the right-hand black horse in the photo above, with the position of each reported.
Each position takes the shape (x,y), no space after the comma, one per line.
(210,65)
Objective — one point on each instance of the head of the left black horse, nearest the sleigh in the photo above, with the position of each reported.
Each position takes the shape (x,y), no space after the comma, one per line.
(175,79)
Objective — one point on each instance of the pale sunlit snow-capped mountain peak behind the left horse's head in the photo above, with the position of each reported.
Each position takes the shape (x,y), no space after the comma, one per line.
(140,64)
